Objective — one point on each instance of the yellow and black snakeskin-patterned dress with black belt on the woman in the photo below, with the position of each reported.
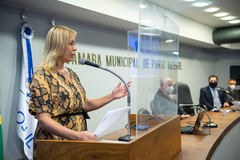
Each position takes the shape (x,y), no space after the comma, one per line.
(51,93)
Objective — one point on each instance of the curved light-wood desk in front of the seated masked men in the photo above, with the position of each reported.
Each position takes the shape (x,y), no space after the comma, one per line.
(203,146)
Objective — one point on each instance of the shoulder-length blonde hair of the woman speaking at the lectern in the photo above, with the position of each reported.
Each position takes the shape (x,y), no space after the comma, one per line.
(56,41)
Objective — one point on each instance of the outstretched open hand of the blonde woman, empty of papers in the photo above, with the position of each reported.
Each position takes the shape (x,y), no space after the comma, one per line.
(119,92)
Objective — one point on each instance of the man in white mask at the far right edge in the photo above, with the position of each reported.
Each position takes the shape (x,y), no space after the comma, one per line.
(233,94)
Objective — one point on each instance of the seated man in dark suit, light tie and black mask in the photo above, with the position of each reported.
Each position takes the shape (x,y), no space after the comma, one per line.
(211,97)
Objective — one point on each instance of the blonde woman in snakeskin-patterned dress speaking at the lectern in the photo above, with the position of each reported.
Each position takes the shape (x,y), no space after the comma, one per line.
(58,100)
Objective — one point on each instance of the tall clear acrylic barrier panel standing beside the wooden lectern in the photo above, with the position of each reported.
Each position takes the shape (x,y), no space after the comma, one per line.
(155,46)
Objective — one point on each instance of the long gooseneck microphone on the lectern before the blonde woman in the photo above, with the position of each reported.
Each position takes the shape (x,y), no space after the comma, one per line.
(128,137)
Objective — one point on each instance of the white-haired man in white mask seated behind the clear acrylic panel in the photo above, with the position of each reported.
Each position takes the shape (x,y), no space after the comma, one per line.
(164,103)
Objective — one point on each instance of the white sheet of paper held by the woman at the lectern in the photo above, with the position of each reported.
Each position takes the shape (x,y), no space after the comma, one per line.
(110,118)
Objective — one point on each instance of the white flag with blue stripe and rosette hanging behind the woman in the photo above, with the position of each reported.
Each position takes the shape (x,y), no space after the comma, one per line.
(26,123)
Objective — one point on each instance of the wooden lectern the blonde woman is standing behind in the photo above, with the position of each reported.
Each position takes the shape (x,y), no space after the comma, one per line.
(159,141)
